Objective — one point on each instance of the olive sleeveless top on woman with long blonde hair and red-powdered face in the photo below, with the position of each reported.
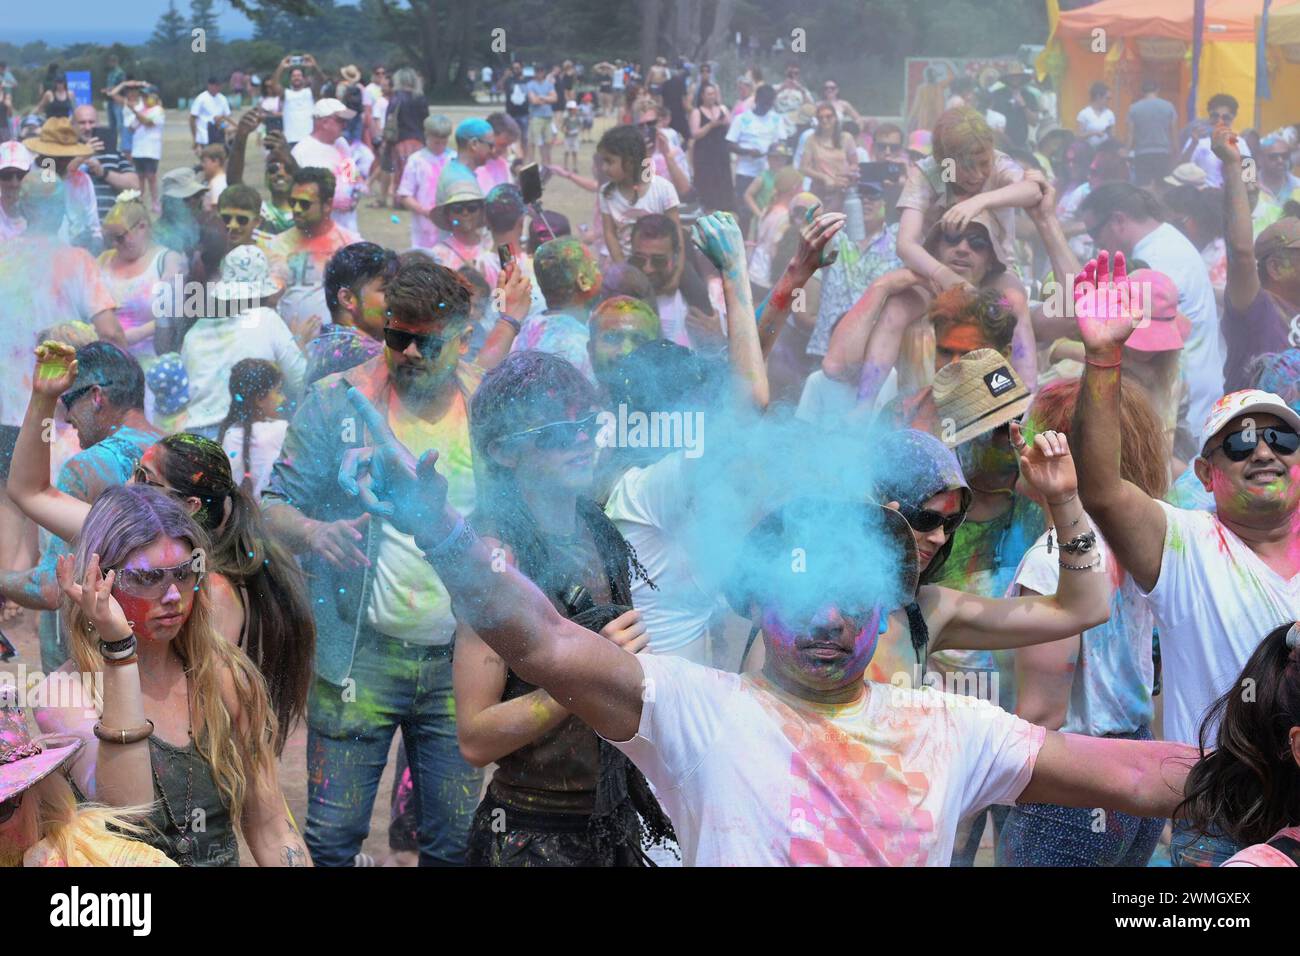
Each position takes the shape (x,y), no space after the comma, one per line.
(209,838)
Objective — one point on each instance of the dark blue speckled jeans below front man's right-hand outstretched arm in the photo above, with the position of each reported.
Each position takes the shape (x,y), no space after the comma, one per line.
(1051,836)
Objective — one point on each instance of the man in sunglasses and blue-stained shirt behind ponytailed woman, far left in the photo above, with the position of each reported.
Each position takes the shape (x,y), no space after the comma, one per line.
(106,406)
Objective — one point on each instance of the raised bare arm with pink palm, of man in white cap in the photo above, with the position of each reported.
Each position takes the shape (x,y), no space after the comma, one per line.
(1132,522)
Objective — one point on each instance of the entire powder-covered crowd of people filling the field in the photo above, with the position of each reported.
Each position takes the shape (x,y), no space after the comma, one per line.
(842,492)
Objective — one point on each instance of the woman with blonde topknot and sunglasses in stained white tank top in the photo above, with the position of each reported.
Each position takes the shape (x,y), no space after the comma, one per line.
(135,266)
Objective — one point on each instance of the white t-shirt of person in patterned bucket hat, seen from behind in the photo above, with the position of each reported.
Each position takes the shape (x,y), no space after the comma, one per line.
(213,347)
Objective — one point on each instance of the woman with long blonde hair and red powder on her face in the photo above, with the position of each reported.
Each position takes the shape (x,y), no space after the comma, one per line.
(183,720)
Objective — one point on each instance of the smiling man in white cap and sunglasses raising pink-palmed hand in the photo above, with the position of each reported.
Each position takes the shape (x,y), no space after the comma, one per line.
(1217,582)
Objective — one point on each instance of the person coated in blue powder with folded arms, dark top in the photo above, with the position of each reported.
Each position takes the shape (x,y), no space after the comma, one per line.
(569,798)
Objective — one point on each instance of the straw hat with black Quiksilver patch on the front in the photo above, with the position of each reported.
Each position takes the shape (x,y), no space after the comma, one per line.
(976,395)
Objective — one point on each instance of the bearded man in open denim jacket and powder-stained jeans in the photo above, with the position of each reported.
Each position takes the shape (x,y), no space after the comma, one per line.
(384,620)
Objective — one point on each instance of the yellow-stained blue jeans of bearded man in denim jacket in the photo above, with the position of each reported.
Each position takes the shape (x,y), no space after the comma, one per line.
(350,733)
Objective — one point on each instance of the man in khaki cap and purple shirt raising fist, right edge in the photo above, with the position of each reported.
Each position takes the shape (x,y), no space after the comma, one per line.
(1262,299)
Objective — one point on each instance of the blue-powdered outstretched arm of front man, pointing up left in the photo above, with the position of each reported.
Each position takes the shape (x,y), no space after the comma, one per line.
(583,672)
